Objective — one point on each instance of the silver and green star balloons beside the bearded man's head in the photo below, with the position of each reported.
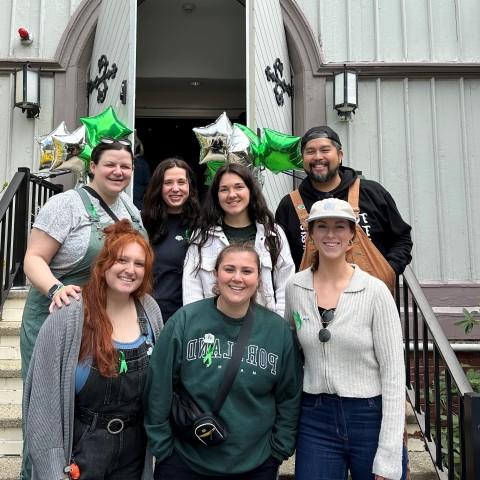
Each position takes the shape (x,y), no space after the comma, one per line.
(221,142)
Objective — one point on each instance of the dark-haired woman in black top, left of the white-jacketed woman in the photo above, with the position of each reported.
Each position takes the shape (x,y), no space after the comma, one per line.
(169,211)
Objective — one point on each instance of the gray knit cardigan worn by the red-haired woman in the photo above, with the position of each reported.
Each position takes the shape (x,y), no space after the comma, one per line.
(49,391)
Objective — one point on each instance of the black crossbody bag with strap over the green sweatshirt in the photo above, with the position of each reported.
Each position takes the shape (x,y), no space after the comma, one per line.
(206,428)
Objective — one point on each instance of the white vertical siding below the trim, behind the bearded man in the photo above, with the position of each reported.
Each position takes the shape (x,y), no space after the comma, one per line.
(419,138)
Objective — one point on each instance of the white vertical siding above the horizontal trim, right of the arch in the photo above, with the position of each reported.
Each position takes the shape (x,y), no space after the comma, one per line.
(396,30)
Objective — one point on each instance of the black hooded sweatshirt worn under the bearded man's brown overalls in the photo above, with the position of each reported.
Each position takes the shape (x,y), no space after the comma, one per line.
(379,218)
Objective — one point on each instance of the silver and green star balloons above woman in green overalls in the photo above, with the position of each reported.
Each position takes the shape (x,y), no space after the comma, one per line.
(60,144)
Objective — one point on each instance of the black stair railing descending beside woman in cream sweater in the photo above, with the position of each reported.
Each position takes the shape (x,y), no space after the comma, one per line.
(445,405)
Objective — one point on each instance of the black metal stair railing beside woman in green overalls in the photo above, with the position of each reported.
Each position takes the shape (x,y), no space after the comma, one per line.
(20,202)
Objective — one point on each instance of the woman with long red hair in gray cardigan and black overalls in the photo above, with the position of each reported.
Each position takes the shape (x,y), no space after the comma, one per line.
(83,393)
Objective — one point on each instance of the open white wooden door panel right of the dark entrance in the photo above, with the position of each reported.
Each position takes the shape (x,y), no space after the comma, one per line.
(265,43)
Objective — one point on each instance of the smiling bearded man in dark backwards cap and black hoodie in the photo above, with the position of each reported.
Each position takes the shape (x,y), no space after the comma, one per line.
(326,177)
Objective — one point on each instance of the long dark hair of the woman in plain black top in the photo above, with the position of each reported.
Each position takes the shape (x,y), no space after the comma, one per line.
(154,211)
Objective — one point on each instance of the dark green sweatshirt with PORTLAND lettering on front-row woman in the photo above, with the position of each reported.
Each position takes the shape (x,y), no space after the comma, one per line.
(262,407)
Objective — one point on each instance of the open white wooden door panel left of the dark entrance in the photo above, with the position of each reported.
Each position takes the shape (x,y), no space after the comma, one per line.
(115,37)
